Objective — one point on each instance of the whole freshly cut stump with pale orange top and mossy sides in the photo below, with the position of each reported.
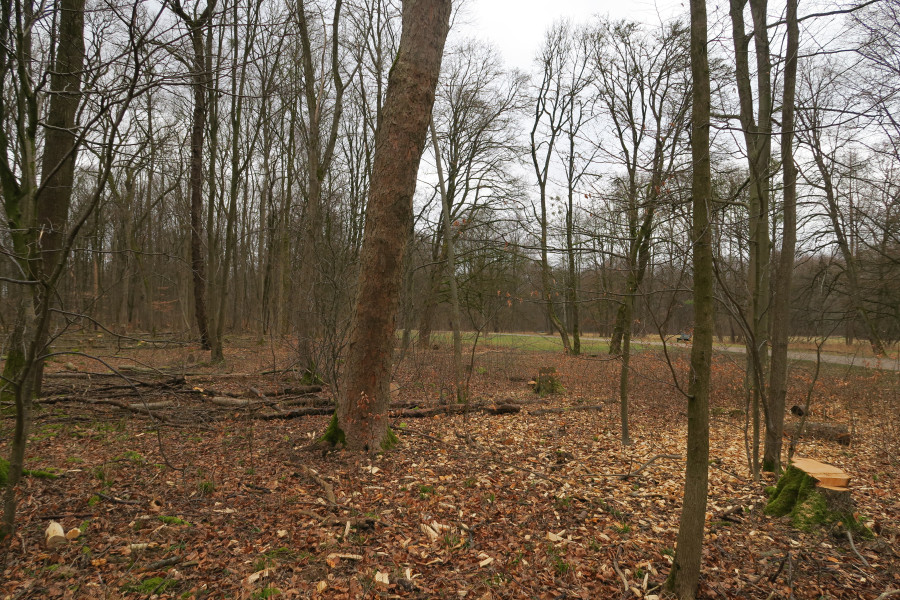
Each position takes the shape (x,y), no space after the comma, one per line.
(814,494)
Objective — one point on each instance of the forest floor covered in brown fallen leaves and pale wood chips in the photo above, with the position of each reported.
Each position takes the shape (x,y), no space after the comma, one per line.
(194,499)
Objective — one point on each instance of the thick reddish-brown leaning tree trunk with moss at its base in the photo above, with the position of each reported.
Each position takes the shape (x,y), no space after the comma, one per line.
(361,418)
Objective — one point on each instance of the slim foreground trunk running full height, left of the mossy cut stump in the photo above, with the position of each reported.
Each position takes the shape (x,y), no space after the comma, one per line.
(685,574)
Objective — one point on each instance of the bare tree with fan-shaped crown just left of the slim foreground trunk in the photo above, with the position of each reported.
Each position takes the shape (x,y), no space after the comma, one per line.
(642,82)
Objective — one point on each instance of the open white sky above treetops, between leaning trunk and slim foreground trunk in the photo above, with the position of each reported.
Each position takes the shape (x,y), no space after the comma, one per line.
(517,27)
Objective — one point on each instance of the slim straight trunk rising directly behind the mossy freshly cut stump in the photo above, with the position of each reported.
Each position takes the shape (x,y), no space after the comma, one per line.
(781,308)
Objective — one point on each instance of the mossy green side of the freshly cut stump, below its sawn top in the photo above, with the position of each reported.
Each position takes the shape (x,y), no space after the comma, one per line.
(810,505)
